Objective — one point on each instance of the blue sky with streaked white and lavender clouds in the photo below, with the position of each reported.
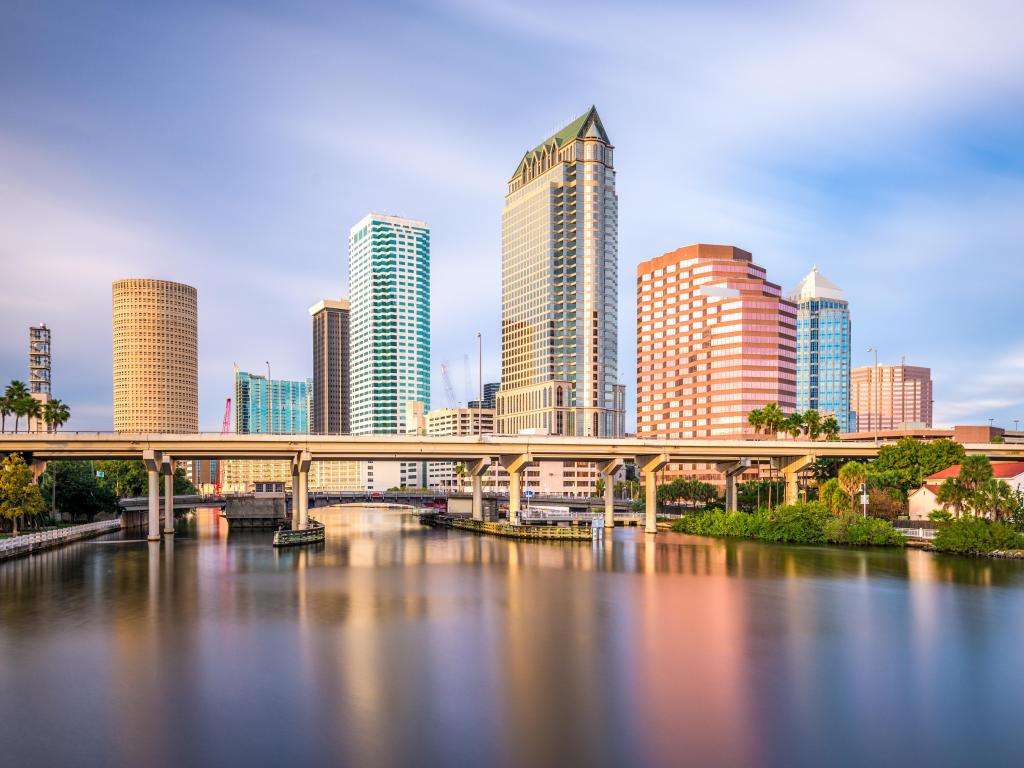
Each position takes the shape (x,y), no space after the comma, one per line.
(231,146)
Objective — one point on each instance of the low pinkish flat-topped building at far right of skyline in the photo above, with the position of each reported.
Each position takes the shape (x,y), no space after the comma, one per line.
(891,398)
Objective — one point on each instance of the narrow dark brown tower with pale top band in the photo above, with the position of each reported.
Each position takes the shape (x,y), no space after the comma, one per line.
(332,376)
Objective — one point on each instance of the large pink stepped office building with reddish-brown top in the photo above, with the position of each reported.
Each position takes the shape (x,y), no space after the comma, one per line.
(715,340)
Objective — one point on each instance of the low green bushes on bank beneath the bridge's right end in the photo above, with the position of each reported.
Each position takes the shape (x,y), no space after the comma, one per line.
(794,524)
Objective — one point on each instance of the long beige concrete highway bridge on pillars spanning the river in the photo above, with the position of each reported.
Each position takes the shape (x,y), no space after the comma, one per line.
(479,453)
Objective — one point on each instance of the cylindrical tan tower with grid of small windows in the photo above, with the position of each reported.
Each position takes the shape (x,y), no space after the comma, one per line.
(156,370)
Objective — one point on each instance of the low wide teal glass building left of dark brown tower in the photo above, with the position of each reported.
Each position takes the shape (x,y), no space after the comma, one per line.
(282,408)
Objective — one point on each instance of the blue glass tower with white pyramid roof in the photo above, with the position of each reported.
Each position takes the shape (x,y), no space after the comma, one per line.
(823,348)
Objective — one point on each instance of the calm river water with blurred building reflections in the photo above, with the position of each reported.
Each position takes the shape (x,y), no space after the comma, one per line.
(396,645)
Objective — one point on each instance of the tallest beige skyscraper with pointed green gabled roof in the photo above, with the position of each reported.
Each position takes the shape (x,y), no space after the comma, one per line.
(560,288)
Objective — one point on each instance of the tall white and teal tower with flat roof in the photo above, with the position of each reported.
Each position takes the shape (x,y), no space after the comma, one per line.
(390,294)
